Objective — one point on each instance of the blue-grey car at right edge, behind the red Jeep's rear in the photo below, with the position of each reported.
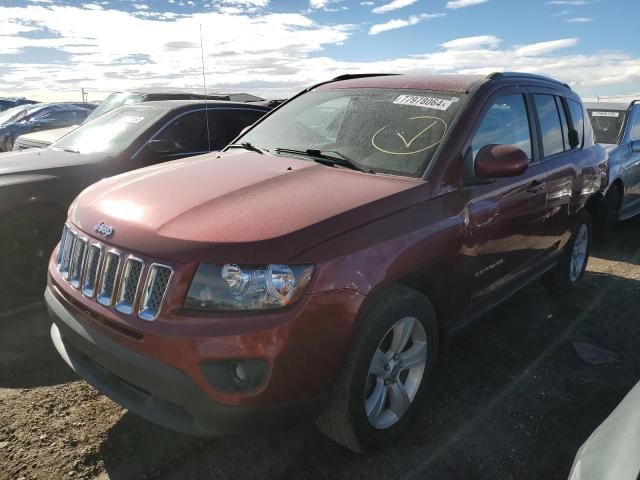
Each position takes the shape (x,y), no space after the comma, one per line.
(616,127)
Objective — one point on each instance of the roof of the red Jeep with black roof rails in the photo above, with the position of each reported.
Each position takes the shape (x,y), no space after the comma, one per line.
(442,82)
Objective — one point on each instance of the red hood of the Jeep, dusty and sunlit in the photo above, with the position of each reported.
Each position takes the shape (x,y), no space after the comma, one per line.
(238,207)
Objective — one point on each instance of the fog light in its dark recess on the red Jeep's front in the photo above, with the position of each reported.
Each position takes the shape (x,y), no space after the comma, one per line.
(235,375)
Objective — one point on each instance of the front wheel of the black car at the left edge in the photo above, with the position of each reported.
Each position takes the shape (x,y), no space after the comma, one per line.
(27,238)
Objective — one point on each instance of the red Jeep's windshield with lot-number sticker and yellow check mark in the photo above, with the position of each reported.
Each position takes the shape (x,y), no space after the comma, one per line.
(380,130)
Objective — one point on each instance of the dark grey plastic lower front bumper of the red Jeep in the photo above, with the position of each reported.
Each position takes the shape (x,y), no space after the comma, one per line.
(156,391)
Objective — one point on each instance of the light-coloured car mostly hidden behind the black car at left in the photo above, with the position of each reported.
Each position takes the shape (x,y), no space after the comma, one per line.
(117,99)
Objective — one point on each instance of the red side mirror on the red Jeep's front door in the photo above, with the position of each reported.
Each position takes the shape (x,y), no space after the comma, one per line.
(494,161)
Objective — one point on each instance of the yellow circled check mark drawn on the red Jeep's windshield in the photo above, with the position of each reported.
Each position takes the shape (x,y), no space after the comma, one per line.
(418,135)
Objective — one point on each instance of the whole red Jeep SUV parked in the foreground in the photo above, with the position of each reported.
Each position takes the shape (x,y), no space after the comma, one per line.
(316,265)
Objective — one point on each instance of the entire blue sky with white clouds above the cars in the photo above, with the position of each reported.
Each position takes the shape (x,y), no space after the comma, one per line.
(51,49)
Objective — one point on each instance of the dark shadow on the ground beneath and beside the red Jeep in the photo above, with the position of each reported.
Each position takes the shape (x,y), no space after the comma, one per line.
(511,400)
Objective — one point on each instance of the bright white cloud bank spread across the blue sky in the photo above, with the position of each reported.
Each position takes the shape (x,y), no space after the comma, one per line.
(270,54)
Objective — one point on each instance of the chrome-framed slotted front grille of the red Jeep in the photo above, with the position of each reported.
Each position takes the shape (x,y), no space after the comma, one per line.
(112,277)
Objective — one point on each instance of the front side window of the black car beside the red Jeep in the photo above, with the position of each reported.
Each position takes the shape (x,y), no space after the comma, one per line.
(187,133)
